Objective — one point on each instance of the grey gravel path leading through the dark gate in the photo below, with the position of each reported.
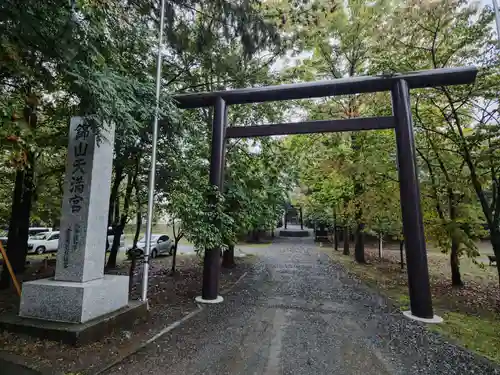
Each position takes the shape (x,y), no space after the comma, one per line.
(299,314)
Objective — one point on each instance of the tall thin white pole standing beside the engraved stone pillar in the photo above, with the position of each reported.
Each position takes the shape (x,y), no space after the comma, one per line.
(152,172)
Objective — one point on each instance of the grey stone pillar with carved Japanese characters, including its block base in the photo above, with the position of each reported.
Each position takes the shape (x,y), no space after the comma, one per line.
(80,291)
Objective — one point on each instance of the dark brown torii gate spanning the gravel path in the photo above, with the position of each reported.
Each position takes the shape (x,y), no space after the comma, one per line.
(401,121)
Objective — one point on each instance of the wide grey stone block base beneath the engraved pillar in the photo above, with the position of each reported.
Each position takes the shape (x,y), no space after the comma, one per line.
(73,302)
